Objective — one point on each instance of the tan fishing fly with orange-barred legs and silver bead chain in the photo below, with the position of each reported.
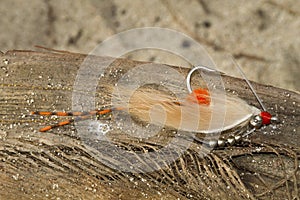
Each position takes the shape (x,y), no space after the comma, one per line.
(160,108)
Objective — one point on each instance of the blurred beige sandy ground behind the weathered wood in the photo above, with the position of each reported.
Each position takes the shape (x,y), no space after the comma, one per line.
(263,36)
